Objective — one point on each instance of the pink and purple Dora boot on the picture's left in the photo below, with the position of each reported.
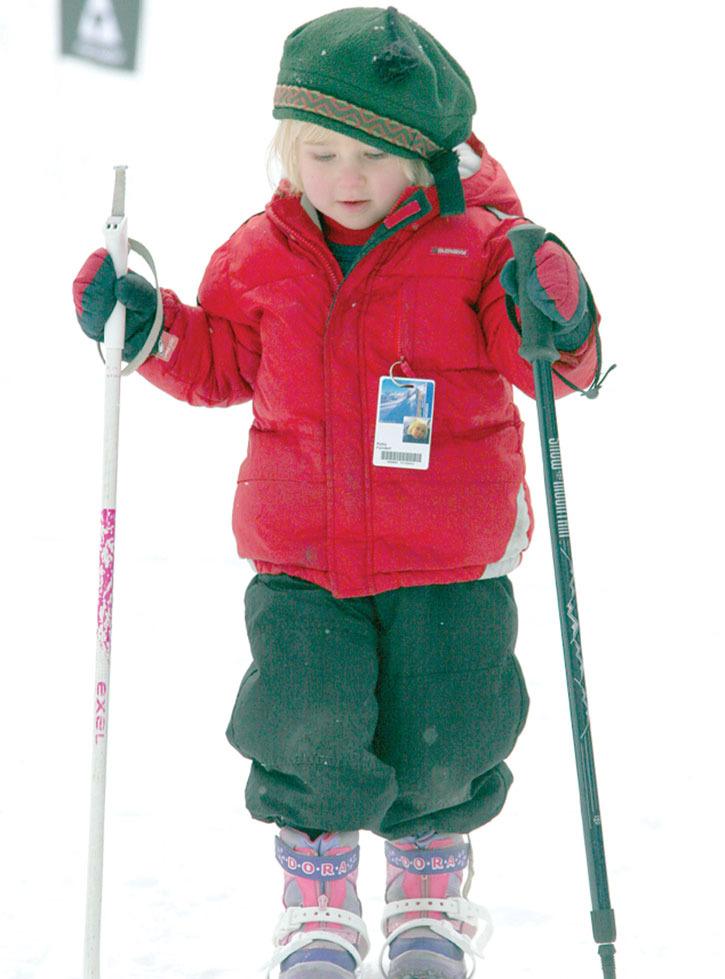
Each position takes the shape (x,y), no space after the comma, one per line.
(321,934)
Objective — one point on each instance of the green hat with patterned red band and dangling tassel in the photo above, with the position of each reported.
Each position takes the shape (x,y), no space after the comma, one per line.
(379,77)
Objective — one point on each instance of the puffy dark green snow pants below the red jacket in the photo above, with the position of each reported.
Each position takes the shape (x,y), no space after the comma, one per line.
(391,713)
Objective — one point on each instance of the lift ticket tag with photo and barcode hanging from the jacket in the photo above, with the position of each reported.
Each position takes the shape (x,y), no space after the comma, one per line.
(404,422)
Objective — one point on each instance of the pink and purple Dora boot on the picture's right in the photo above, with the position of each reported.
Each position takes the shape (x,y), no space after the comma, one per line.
(428,922)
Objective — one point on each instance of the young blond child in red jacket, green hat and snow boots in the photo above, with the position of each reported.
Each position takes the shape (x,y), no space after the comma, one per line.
(382,515)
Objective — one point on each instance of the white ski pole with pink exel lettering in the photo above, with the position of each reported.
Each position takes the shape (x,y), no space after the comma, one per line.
(116,235)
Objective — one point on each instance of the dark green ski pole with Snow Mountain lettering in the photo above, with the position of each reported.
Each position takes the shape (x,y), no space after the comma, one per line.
(538,348)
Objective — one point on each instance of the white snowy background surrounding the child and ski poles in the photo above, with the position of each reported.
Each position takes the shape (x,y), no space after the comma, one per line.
(606,118)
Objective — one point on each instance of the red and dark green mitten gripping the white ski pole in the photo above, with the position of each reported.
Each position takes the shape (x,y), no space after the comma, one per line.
(96,289)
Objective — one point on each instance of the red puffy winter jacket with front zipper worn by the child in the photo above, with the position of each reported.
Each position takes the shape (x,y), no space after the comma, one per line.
(277,323)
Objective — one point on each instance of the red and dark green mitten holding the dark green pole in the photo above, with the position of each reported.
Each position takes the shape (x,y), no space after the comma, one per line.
(556,286)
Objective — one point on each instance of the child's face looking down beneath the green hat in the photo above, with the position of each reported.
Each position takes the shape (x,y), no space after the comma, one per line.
(351,182)
